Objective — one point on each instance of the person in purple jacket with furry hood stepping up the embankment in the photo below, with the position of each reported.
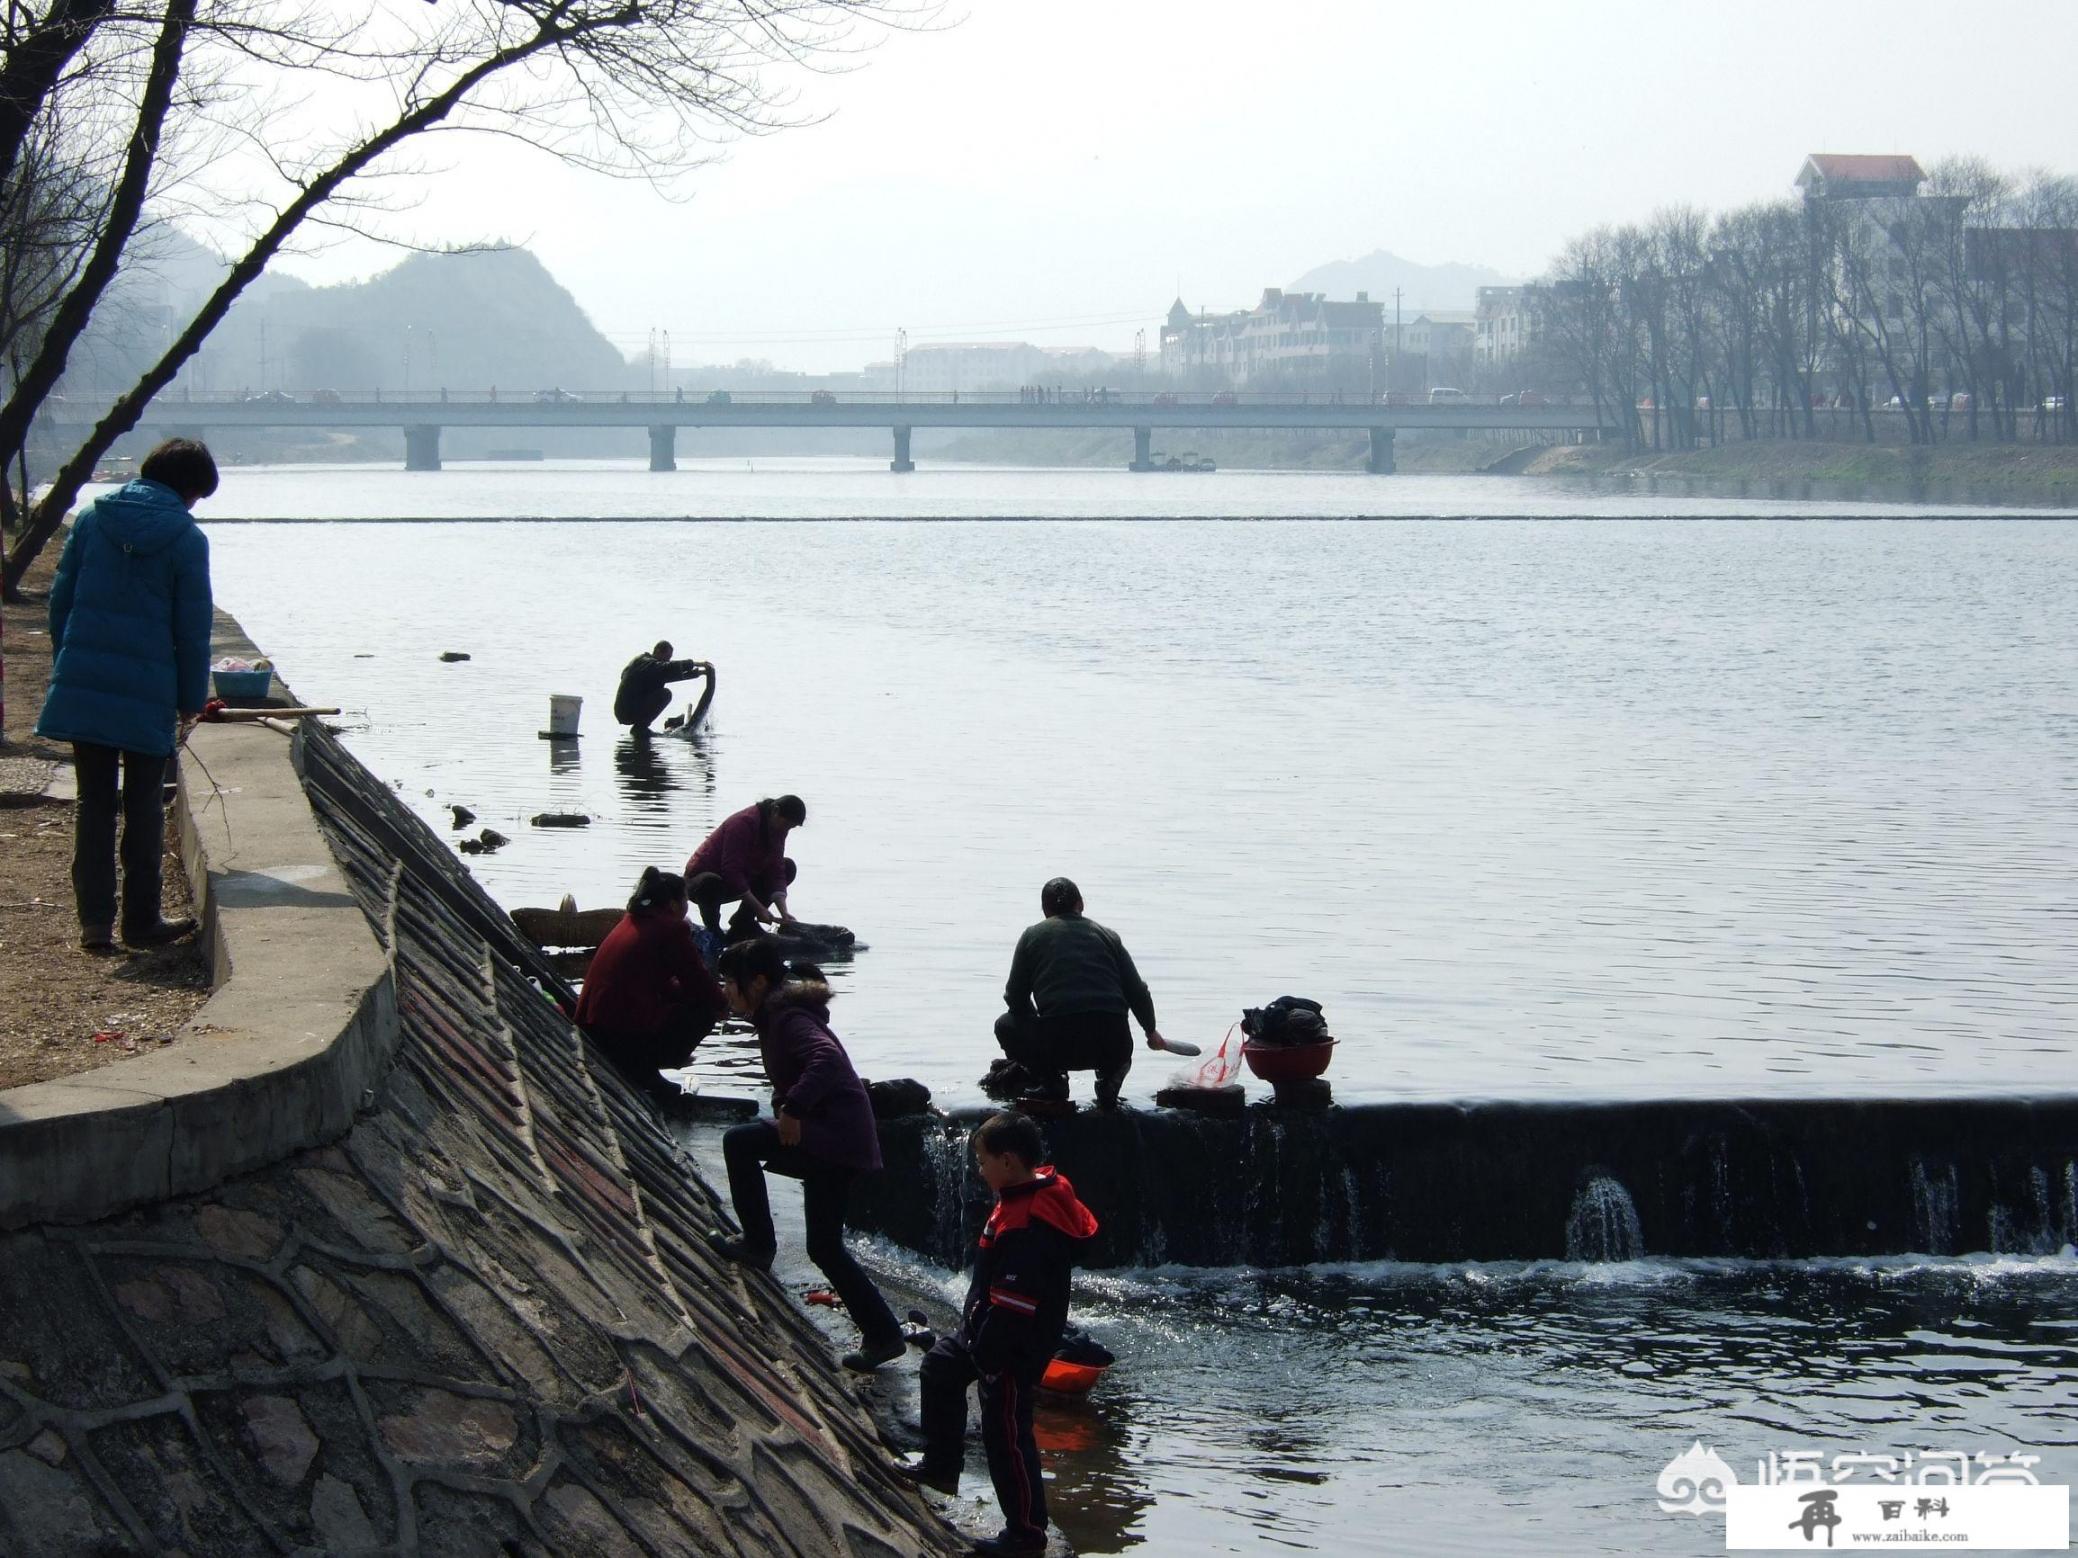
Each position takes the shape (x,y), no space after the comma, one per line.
(822,1133)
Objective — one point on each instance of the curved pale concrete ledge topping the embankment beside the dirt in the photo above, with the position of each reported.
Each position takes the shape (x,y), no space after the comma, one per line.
(300,1029)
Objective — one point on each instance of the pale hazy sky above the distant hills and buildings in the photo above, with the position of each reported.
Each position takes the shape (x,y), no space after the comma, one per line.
(1050,169)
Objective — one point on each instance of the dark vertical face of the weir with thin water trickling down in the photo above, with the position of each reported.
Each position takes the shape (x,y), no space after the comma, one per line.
(1778,1179)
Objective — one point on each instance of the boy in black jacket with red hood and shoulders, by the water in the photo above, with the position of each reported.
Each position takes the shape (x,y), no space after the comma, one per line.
(1017,1308)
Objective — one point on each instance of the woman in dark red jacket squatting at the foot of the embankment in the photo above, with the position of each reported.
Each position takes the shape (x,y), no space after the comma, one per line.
(649,998)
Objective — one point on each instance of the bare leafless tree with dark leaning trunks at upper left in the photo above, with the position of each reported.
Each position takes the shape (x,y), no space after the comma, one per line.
(635,88)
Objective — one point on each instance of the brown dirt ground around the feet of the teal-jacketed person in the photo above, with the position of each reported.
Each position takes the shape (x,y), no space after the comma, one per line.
(53,996)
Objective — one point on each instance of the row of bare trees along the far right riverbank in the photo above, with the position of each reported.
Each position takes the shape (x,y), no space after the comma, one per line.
(1952,313)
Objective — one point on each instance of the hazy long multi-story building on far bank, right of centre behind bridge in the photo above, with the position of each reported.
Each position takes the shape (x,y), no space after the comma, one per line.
(1289,335)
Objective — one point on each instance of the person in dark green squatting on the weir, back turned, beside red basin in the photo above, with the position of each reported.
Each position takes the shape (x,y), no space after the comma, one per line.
(1069,994)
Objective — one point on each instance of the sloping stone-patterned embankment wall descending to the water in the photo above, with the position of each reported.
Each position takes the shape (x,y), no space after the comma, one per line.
(473,1318)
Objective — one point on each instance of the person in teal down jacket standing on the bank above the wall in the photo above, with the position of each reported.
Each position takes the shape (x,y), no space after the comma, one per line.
(130,639)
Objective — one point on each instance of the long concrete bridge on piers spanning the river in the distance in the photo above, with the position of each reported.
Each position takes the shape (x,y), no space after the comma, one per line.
(664,414)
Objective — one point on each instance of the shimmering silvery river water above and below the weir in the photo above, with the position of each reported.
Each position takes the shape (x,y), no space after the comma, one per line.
(1709,797)
